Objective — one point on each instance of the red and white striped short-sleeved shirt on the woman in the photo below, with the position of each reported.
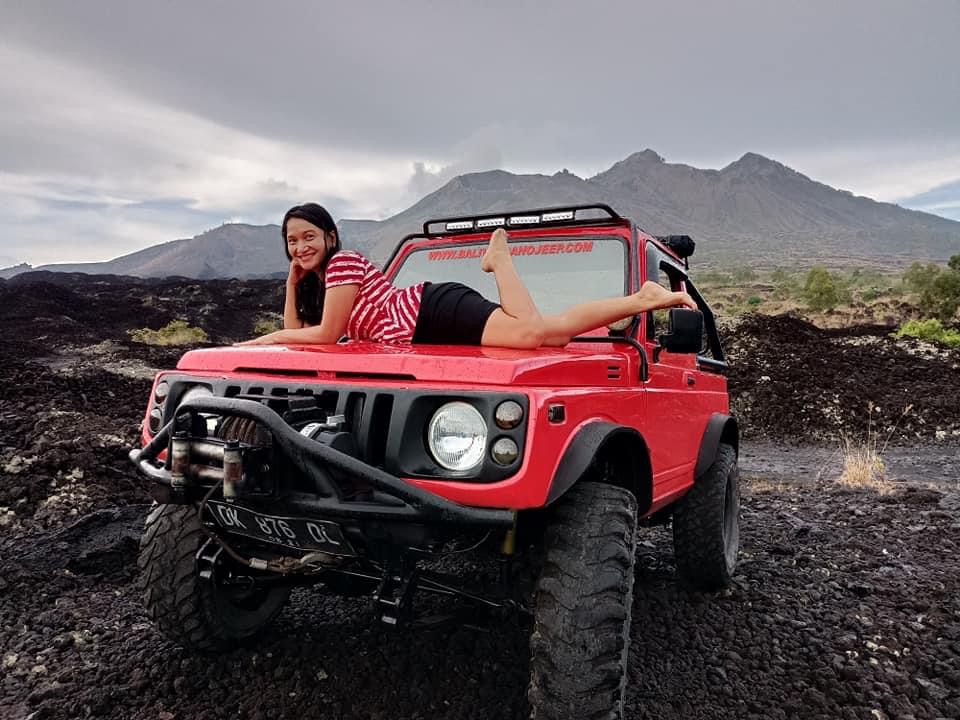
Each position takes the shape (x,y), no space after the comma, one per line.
(380,311)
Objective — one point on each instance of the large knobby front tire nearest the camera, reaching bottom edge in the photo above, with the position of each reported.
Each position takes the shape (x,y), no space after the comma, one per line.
(581,633)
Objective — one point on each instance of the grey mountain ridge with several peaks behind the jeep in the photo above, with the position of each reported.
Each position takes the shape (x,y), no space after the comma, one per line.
(753,207)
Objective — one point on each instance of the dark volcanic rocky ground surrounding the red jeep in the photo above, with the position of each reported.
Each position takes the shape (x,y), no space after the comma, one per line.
(846,603)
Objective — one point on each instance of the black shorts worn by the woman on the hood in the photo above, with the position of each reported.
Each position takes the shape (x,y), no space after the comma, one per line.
(452,314)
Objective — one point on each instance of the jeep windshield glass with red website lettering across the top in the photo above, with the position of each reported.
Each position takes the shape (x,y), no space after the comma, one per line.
(558,271)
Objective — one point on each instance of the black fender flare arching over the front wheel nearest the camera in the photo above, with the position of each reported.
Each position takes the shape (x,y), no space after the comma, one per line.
(590,440)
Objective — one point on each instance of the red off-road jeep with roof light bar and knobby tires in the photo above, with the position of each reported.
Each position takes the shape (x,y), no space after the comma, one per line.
(354,466)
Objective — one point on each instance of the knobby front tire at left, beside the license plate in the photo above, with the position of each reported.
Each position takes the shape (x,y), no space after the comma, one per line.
(187,609)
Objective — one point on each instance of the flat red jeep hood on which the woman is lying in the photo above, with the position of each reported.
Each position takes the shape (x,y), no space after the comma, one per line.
(590,364)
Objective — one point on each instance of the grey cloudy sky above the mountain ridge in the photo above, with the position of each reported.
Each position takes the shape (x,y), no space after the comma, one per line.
(124,124)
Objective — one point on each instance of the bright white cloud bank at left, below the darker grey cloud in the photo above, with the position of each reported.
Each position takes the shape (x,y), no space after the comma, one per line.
(100,176)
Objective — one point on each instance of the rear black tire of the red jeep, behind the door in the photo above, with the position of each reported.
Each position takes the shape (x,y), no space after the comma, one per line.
(706,526)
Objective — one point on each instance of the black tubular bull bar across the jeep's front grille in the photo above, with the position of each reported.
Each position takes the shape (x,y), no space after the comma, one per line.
(393,499)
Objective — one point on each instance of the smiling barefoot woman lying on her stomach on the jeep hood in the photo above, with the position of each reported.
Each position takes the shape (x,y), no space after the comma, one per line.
(333,292)
